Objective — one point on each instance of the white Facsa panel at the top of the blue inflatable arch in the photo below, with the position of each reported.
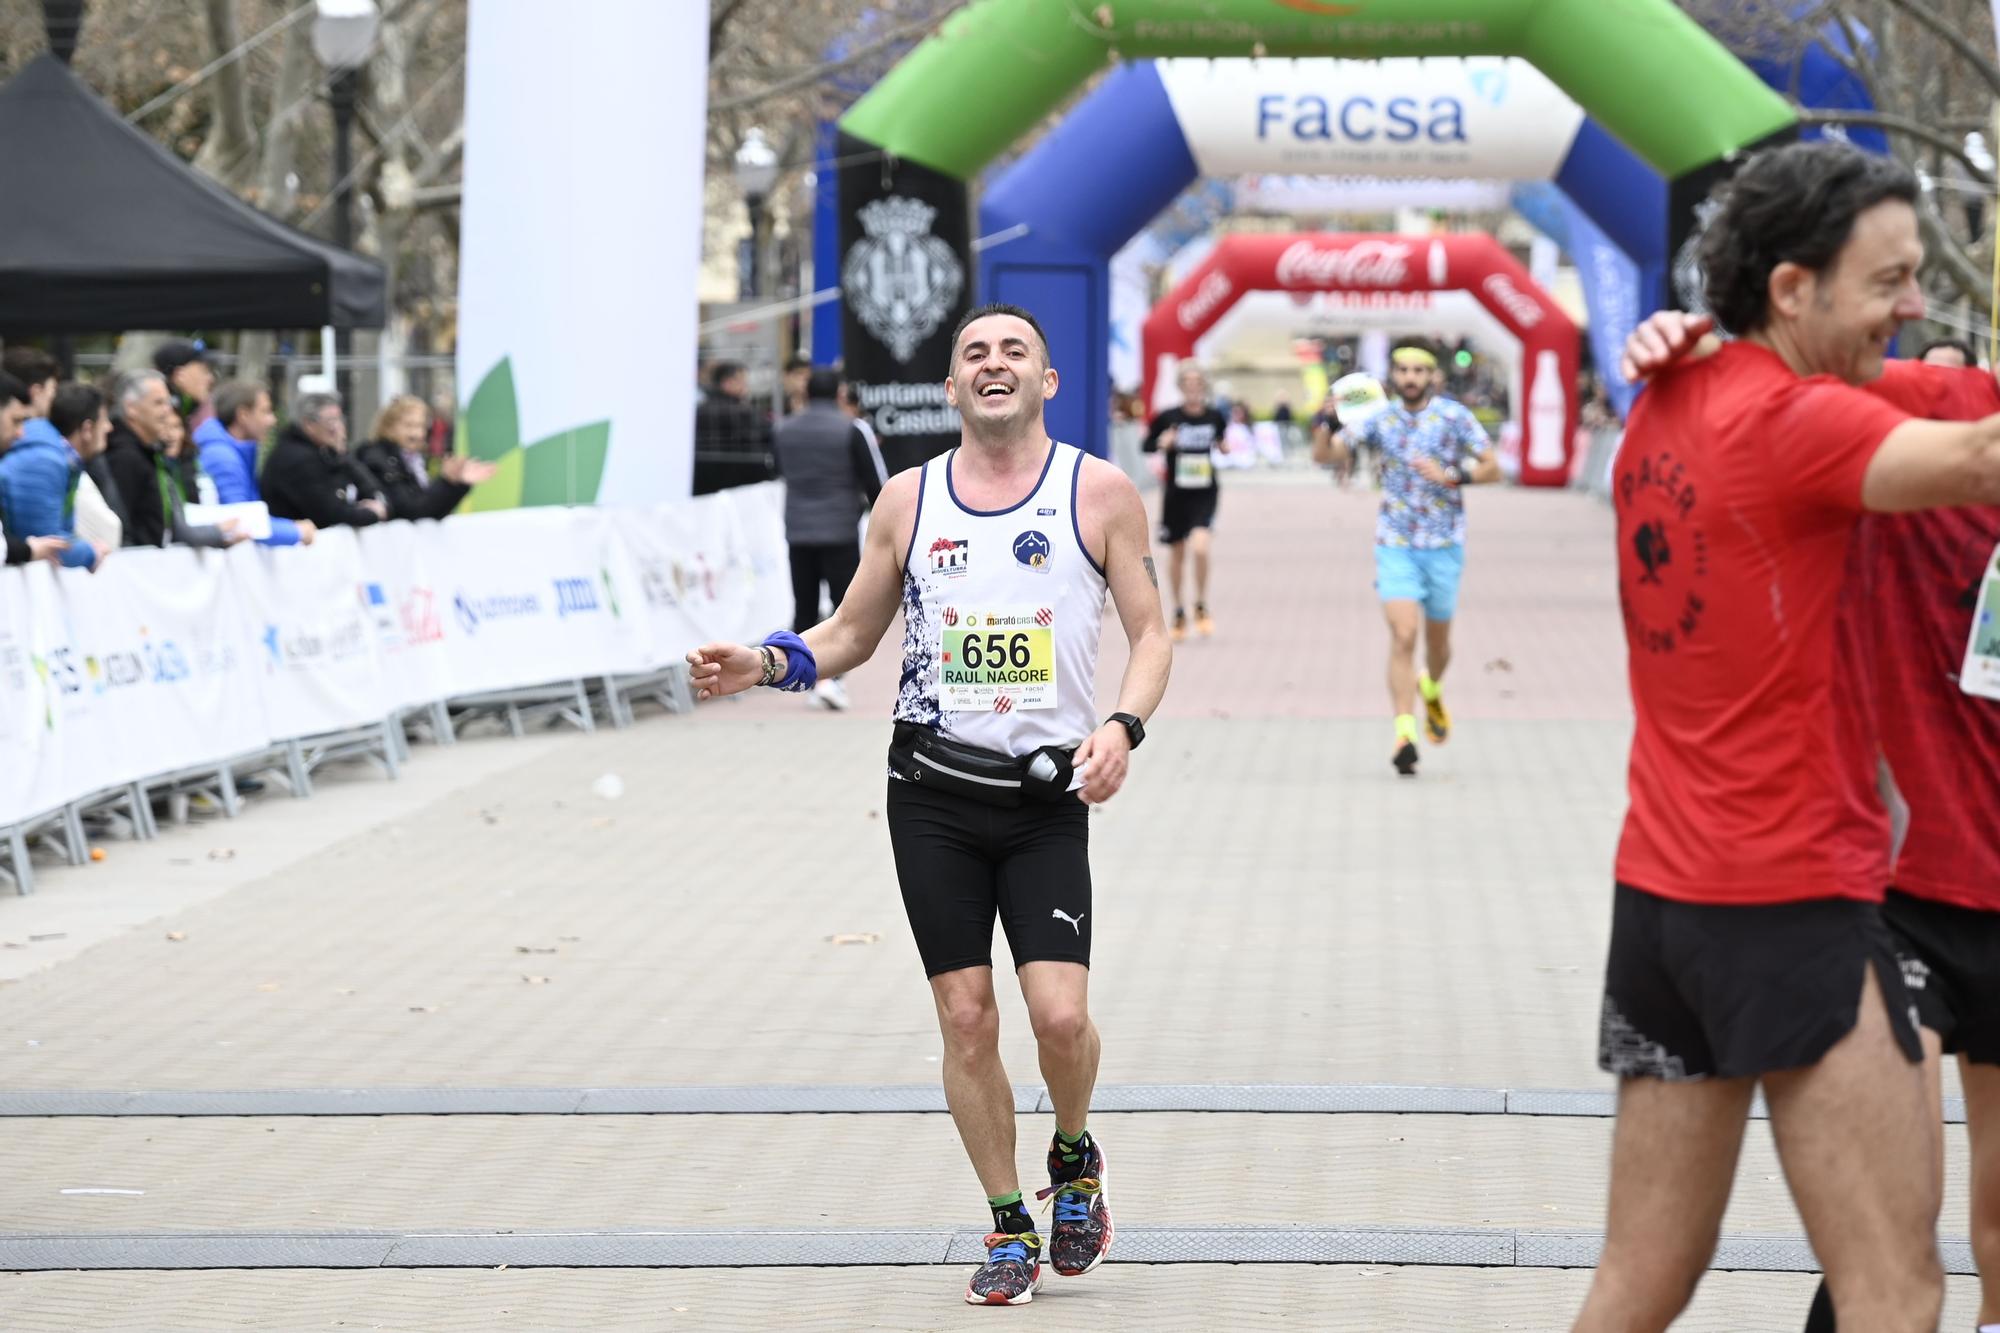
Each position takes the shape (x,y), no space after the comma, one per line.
(1485,119)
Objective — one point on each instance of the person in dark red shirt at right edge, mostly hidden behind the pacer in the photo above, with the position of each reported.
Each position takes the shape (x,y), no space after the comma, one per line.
(1907,613)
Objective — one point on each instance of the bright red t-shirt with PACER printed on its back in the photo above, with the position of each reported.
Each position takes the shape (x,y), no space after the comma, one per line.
(1739,487)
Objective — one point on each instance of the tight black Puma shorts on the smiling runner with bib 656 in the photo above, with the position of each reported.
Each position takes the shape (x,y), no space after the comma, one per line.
(963,862)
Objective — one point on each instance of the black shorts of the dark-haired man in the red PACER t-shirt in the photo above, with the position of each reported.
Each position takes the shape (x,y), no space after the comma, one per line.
(1697,992)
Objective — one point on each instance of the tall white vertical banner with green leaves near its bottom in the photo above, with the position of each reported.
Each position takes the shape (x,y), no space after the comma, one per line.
(567,231)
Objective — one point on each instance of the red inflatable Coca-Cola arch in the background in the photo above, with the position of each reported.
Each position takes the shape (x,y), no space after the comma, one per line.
(1377,263)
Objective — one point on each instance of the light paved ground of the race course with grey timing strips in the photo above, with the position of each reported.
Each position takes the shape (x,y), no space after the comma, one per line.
(263,1072)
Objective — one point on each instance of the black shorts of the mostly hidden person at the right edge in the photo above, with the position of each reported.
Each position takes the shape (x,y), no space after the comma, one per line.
(1951,962)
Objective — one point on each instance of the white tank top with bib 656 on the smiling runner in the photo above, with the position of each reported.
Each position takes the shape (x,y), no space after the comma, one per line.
(1003,613)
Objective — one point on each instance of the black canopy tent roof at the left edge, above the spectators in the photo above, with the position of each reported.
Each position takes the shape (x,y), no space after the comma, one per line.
(103,229)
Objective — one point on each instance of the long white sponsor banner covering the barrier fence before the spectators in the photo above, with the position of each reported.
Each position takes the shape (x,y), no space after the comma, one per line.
(173,659)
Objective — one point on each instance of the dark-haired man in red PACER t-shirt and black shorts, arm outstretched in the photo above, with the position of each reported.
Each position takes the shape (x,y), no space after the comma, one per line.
(1747,932)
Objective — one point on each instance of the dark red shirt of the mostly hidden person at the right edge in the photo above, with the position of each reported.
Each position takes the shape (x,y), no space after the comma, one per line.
(1913,589)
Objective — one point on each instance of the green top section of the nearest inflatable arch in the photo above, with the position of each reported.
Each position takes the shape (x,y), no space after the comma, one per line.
(1641,67)
